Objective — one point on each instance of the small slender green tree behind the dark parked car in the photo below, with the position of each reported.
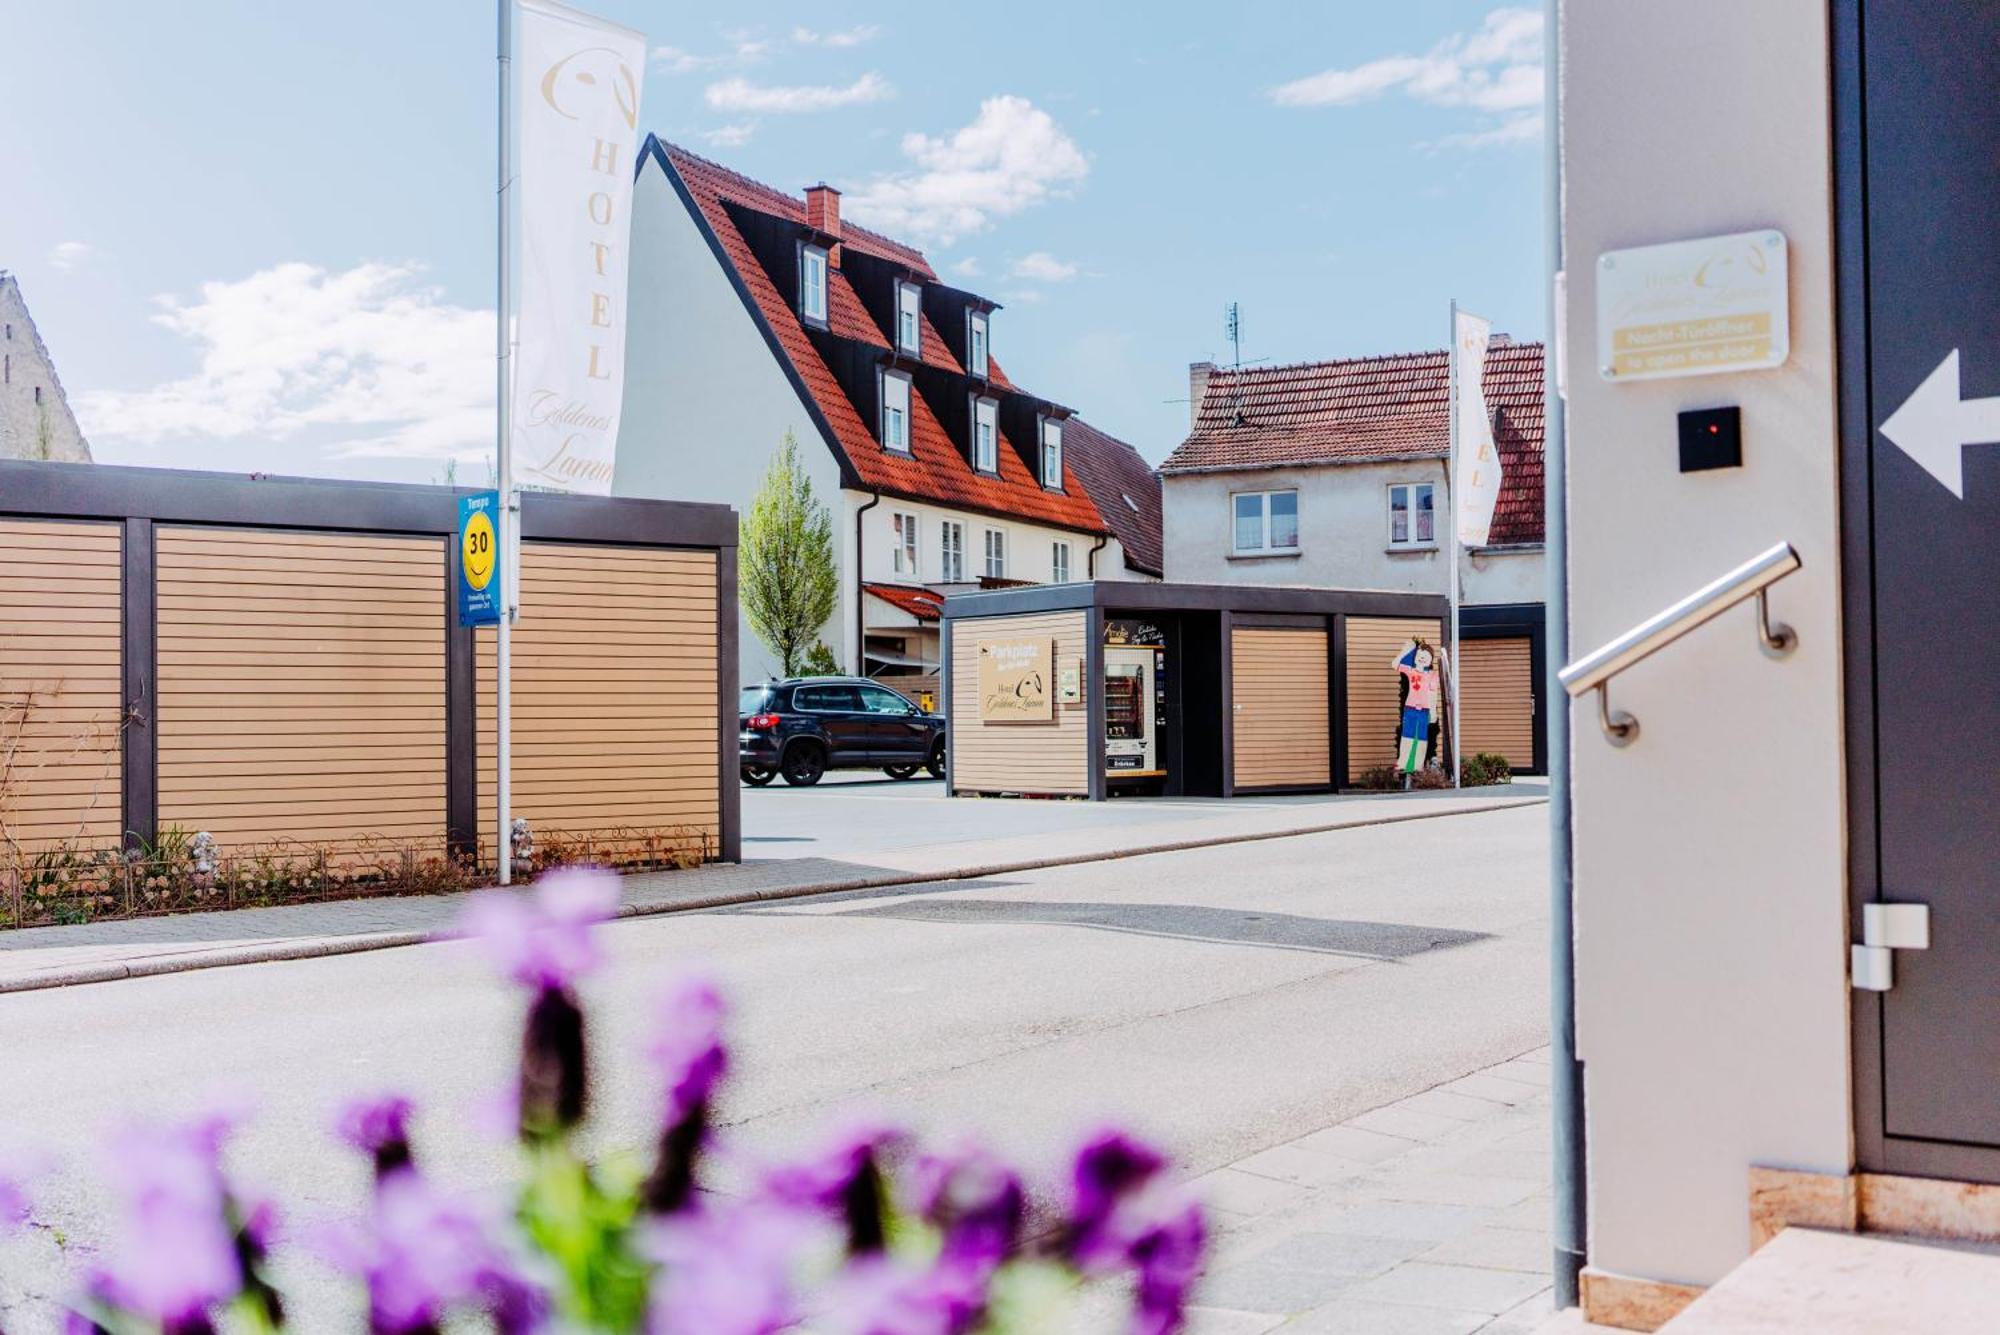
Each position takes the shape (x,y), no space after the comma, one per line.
(789,585)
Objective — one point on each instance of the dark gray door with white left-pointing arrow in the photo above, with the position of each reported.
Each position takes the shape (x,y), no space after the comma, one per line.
(1929,129)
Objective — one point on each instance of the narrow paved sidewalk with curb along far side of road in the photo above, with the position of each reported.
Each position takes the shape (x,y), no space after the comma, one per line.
(137,948)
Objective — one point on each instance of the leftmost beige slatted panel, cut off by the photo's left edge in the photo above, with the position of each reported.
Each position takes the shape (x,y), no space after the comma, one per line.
(59,684)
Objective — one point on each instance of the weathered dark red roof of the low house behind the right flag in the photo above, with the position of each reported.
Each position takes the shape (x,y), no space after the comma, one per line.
(1373,409)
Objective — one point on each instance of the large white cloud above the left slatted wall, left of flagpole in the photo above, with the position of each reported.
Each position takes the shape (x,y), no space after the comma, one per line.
(371,363)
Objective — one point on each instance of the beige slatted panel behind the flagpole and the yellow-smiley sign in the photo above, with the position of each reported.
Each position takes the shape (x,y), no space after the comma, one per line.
(615,692)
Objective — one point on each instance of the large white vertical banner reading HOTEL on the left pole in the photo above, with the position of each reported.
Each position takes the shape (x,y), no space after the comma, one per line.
(579,137)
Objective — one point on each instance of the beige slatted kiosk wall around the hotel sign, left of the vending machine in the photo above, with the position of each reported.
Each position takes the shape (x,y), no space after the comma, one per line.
(1019,756)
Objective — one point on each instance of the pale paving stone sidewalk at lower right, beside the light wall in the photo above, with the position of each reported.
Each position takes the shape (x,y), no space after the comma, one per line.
(1429,1216)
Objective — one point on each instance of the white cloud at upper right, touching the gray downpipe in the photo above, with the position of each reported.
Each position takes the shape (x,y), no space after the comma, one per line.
(1495,71)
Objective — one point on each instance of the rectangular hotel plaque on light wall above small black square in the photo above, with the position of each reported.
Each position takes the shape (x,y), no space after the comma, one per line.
(1693,309)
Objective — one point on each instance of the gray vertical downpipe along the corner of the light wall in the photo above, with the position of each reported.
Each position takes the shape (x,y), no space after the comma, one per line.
(1567,1074)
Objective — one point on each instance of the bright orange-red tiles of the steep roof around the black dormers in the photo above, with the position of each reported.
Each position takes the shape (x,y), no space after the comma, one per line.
(935,469)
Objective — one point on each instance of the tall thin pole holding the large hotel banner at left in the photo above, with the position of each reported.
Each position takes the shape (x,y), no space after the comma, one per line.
(509,517)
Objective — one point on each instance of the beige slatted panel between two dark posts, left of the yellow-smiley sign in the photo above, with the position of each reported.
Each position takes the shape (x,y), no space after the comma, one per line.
(301,686)
